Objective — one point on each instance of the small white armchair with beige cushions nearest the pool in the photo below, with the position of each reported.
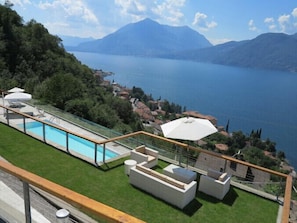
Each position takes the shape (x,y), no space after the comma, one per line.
(144,154)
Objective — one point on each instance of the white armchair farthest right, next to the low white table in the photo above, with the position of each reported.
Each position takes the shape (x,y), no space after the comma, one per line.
(215,183)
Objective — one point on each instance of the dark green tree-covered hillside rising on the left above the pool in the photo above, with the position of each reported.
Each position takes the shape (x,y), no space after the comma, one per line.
(33,59)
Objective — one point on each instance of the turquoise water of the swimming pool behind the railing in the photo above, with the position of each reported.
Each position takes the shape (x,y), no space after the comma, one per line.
(75,143)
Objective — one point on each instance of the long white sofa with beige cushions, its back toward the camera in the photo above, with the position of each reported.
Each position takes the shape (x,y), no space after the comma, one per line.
(161,186)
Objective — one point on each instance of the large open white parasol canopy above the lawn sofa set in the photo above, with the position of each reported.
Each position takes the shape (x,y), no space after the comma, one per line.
(188,128)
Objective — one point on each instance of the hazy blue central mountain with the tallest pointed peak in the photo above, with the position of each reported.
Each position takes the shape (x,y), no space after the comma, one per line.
(146,38)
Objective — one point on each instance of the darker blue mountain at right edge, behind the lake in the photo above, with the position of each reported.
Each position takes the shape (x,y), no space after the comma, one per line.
(275,51)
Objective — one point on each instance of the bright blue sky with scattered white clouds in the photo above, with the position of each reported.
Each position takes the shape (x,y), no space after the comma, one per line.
(218,20)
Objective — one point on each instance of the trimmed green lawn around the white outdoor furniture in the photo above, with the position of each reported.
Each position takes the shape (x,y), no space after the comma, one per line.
(110,186)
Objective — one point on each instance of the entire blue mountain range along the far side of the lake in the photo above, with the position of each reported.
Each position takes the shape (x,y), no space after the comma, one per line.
(275,51)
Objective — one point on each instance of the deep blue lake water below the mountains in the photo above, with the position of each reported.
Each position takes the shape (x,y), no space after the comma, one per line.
(248,98)
